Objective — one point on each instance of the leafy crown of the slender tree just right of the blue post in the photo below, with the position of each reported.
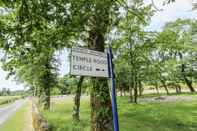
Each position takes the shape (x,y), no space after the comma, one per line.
(132,46)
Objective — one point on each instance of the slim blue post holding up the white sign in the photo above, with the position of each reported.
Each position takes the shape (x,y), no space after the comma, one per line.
(114,103)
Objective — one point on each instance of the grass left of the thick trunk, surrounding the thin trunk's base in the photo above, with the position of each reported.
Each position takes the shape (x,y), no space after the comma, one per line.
(60,118)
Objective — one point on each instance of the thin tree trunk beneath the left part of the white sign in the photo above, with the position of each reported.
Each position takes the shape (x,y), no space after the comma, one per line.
(77,98)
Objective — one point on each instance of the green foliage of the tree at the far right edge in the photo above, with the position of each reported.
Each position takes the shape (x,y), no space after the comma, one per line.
(176,39)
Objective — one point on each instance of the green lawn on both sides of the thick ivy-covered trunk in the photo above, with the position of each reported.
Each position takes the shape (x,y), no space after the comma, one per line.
(170,116)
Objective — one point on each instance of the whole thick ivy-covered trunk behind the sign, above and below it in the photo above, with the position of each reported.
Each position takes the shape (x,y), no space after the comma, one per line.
(101,108)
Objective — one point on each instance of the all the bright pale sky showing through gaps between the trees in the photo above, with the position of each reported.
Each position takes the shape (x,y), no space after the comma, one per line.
(170,12)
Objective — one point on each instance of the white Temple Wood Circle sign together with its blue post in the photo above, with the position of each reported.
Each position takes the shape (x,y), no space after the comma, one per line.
(85,62)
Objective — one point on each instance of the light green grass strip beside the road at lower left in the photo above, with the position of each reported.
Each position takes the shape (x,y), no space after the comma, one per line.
(17,121)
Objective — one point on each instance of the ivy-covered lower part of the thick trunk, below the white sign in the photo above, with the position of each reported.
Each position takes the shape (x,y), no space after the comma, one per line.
(101,115)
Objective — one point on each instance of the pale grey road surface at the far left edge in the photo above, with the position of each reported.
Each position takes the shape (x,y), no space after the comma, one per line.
(6,112)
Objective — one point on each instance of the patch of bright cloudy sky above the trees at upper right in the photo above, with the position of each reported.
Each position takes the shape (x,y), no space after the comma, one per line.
(171,12)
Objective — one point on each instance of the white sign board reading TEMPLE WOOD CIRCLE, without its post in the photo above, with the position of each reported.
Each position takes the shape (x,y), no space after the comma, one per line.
(85,62)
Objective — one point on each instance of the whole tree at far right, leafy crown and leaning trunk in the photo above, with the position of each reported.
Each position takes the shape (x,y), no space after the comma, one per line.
(176,43)
